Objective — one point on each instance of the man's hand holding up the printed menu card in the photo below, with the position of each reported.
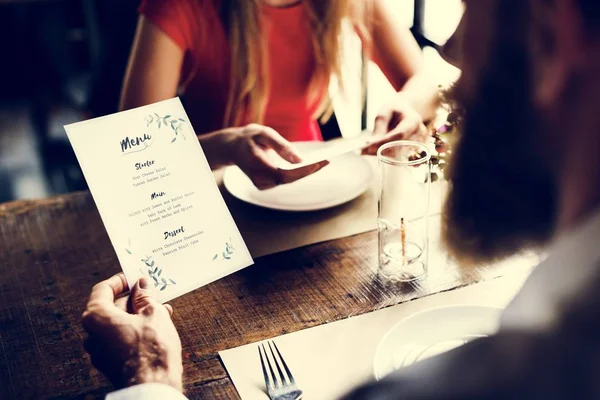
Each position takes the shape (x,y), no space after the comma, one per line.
(132,339)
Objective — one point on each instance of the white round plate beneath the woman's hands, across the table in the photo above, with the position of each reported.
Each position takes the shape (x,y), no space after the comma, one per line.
(344,179)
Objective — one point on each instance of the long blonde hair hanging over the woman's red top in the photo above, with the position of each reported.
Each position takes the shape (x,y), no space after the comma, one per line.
(249,83)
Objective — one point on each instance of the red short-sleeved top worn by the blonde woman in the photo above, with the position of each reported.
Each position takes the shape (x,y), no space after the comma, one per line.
(196,27)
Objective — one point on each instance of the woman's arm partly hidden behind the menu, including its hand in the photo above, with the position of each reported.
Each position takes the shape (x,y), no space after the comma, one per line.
(153,75)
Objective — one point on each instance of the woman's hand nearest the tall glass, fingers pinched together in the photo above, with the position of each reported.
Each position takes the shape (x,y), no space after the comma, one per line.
(396,121)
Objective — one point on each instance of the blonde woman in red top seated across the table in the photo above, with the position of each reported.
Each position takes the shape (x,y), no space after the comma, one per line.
(254,74)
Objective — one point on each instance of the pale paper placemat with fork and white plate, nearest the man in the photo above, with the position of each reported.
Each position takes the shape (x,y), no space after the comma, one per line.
(329,360)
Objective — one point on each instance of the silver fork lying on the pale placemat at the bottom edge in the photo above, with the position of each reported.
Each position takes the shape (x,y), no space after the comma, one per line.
(280,386)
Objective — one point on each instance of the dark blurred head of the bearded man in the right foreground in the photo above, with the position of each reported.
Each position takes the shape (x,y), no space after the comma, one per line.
(527,94)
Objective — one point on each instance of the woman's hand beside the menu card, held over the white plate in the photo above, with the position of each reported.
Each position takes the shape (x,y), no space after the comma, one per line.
(248,148)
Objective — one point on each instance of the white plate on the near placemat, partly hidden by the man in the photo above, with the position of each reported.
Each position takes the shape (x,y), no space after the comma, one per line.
(432,332)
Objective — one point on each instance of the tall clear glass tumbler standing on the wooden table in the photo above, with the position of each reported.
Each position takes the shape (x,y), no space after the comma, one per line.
(405,173)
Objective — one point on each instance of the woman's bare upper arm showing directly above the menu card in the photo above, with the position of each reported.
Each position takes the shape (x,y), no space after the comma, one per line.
(154,67)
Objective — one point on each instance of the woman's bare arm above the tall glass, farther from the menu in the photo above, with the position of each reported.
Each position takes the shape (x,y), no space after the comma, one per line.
(397,53)
